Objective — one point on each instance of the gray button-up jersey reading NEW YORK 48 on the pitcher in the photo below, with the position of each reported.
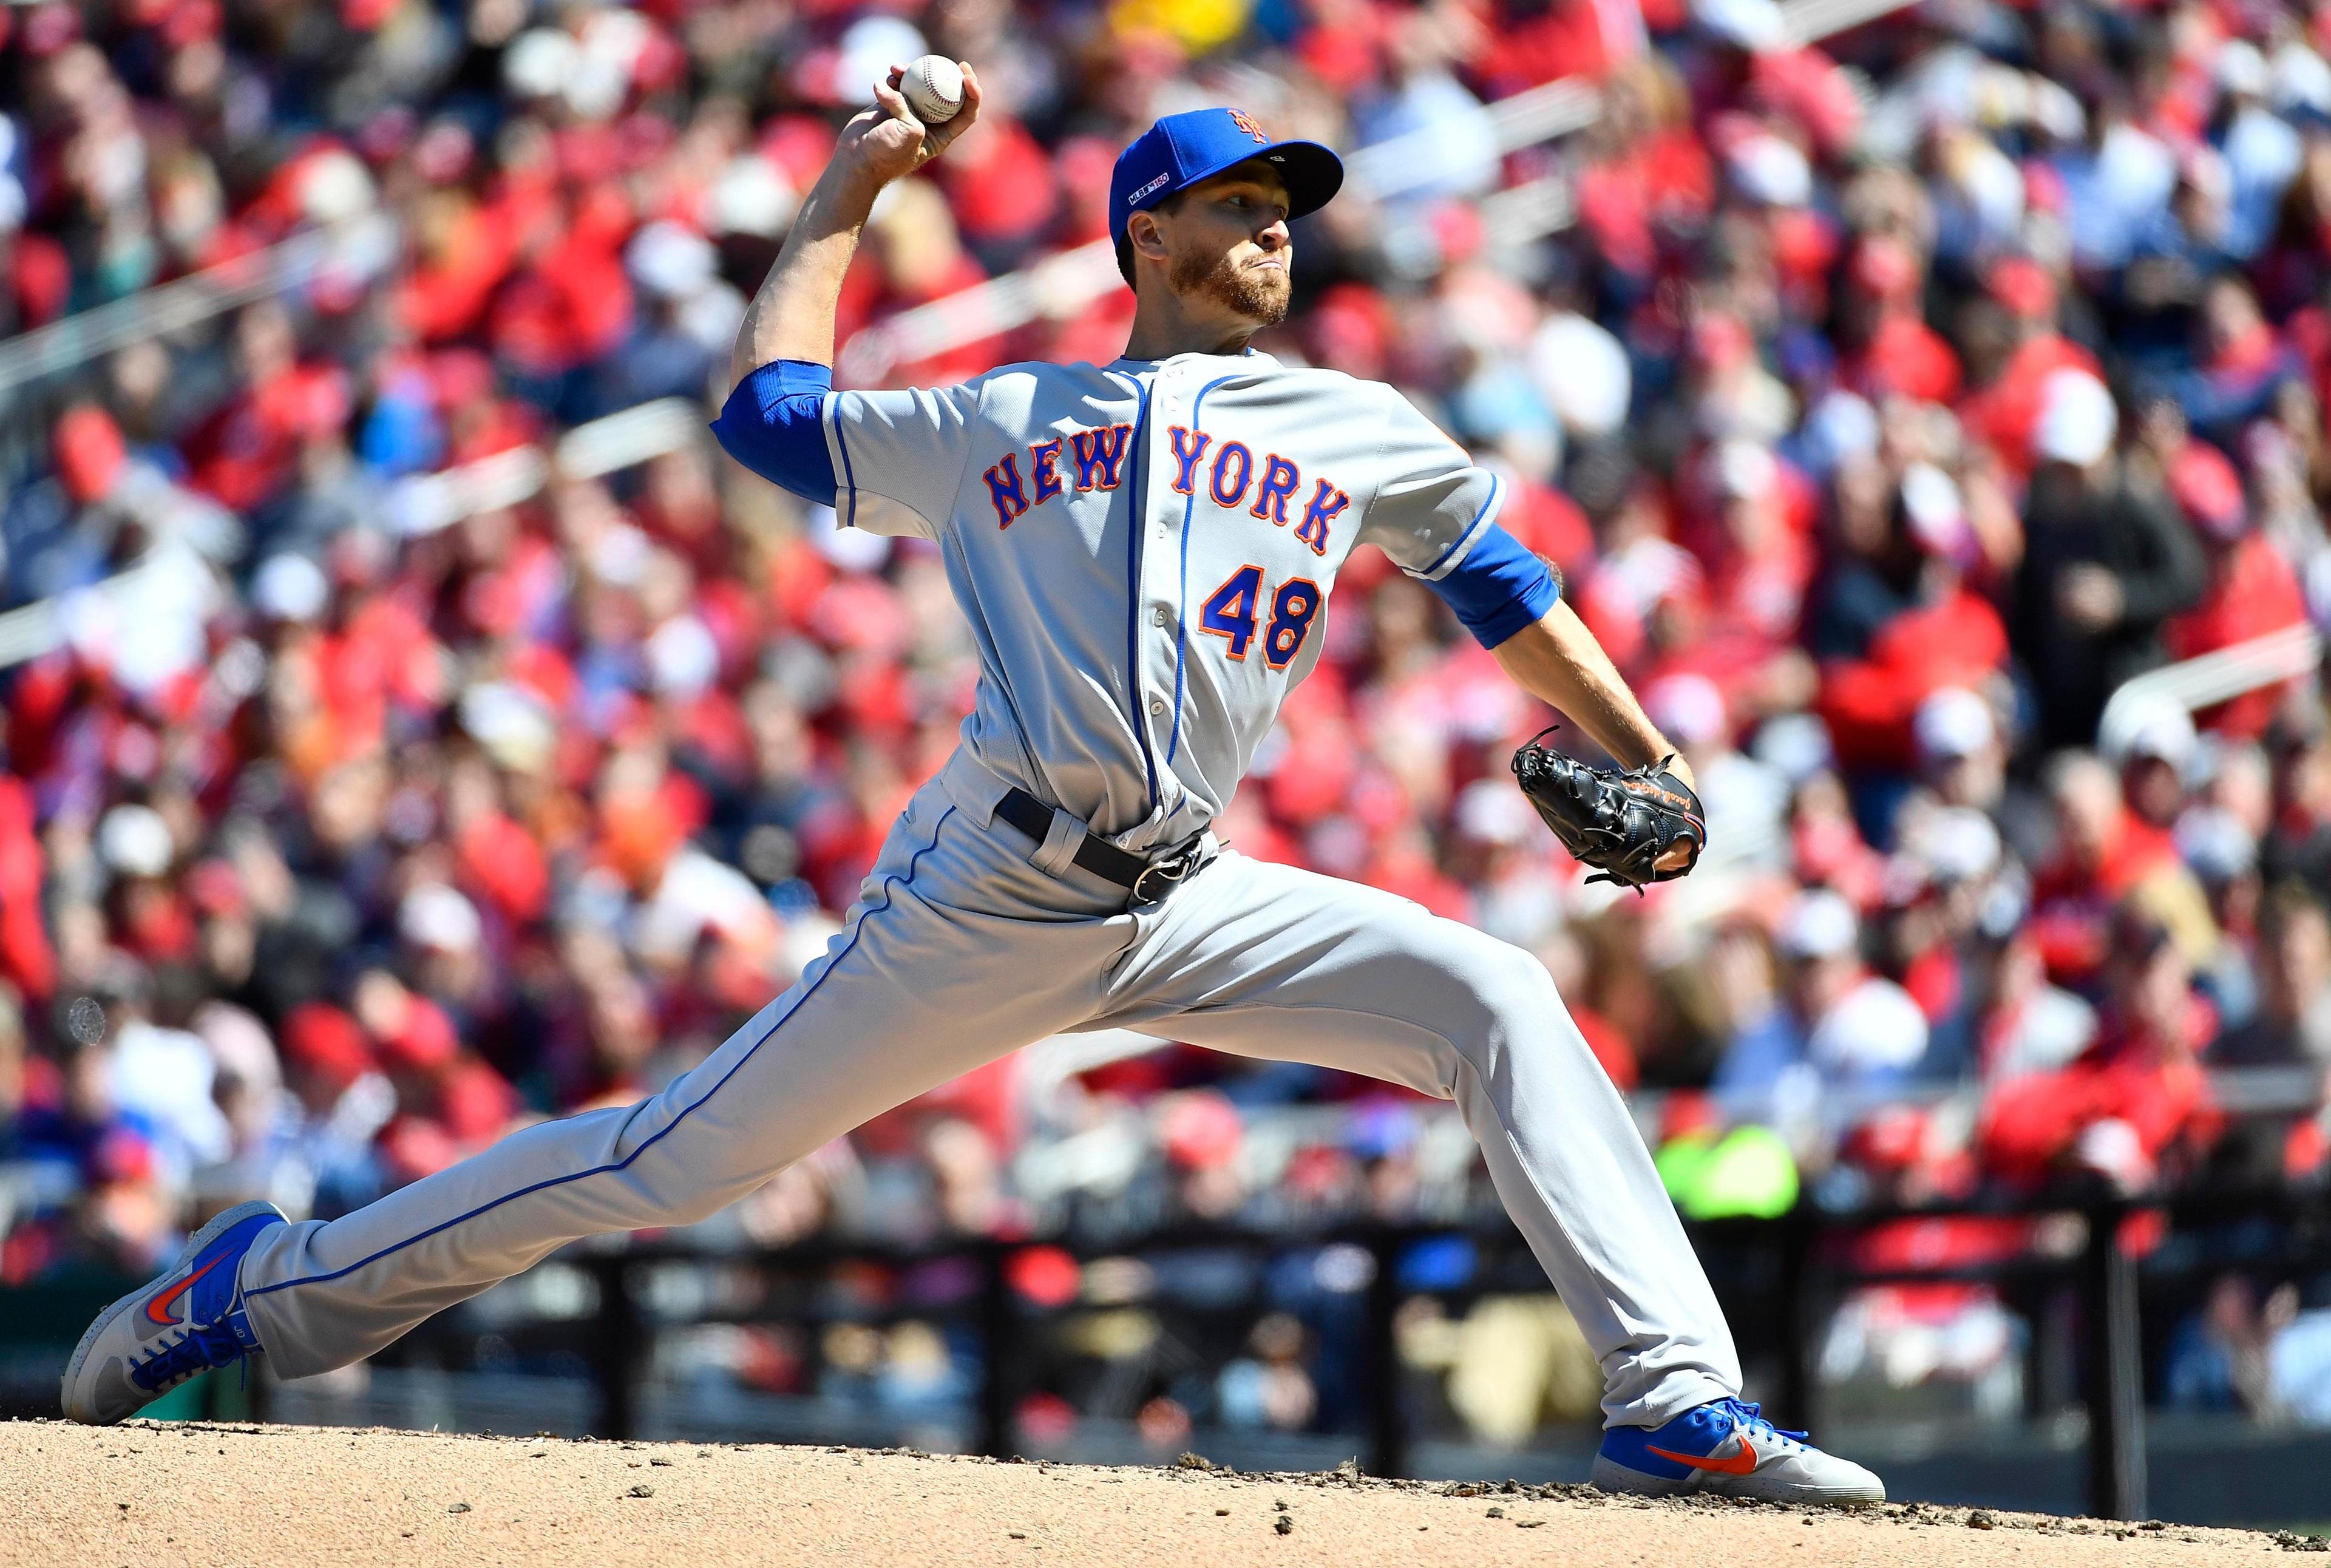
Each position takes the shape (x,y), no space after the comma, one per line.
(1146,556)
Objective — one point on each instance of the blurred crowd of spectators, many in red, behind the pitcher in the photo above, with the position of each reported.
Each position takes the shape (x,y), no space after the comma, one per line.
(1887,402)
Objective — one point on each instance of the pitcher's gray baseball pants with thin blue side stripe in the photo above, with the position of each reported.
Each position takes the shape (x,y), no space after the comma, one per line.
(959,952)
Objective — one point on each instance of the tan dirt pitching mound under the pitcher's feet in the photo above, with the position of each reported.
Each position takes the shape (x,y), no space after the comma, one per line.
(164,1492)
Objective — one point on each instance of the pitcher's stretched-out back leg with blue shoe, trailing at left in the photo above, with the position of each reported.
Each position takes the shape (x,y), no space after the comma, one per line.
(927,982)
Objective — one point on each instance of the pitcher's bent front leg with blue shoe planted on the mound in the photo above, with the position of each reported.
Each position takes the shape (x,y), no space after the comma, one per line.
(1281,963)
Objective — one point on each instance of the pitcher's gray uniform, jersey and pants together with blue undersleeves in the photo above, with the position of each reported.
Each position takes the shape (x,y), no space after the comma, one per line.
(1146,556)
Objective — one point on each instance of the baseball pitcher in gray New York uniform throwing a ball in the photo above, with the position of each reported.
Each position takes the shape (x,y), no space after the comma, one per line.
(1146,553)
